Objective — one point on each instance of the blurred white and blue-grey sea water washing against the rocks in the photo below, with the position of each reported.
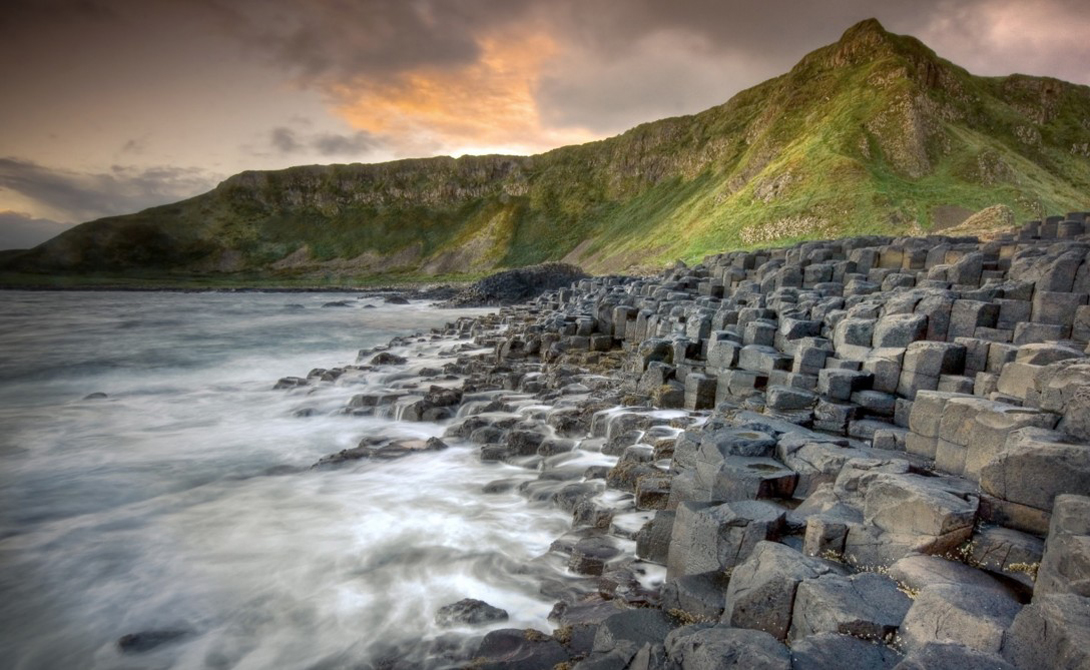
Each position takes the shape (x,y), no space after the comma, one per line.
(184,503)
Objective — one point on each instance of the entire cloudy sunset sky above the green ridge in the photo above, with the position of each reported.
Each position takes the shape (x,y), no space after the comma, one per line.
(113,106)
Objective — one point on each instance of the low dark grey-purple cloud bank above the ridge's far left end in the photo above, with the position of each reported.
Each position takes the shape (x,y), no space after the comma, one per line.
(72,197)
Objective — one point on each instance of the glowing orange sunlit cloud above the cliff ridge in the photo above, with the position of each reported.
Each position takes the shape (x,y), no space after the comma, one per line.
(486,107)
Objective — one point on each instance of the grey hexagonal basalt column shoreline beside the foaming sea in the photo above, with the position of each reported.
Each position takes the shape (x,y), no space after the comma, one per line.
(868,453)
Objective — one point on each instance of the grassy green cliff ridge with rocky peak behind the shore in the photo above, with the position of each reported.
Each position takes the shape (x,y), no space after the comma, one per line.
(871,135)
